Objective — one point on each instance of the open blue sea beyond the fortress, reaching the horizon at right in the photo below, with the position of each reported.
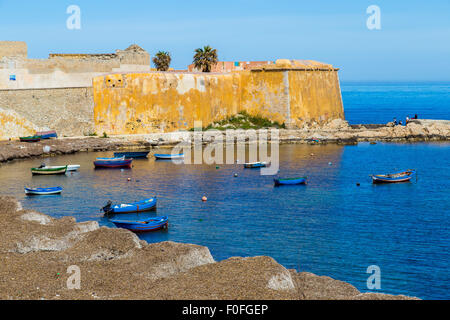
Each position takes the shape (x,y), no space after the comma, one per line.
(376,102)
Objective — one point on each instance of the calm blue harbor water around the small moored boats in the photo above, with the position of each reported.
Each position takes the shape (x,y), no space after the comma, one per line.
(329,227)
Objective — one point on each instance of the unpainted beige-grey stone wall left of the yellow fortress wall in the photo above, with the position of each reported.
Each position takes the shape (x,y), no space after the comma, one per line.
(69,111)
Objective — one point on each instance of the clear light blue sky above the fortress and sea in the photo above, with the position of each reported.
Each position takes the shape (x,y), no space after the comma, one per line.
(413,43)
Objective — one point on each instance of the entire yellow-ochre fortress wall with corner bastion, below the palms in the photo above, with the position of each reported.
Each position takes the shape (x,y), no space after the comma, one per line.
(293,92)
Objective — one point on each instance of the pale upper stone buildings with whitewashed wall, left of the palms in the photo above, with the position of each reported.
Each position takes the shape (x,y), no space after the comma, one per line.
(64,70)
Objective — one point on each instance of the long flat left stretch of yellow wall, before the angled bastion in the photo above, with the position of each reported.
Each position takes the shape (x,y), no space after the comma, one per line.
(162,101)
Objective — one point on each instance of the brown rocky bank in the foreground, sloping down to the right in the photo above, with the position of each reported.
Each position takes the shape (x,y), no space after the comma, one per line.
(36,251)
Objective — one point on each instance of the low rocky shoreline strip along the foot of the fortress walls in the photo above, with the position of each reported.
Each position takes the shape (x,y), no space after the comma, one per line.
(336,131)
